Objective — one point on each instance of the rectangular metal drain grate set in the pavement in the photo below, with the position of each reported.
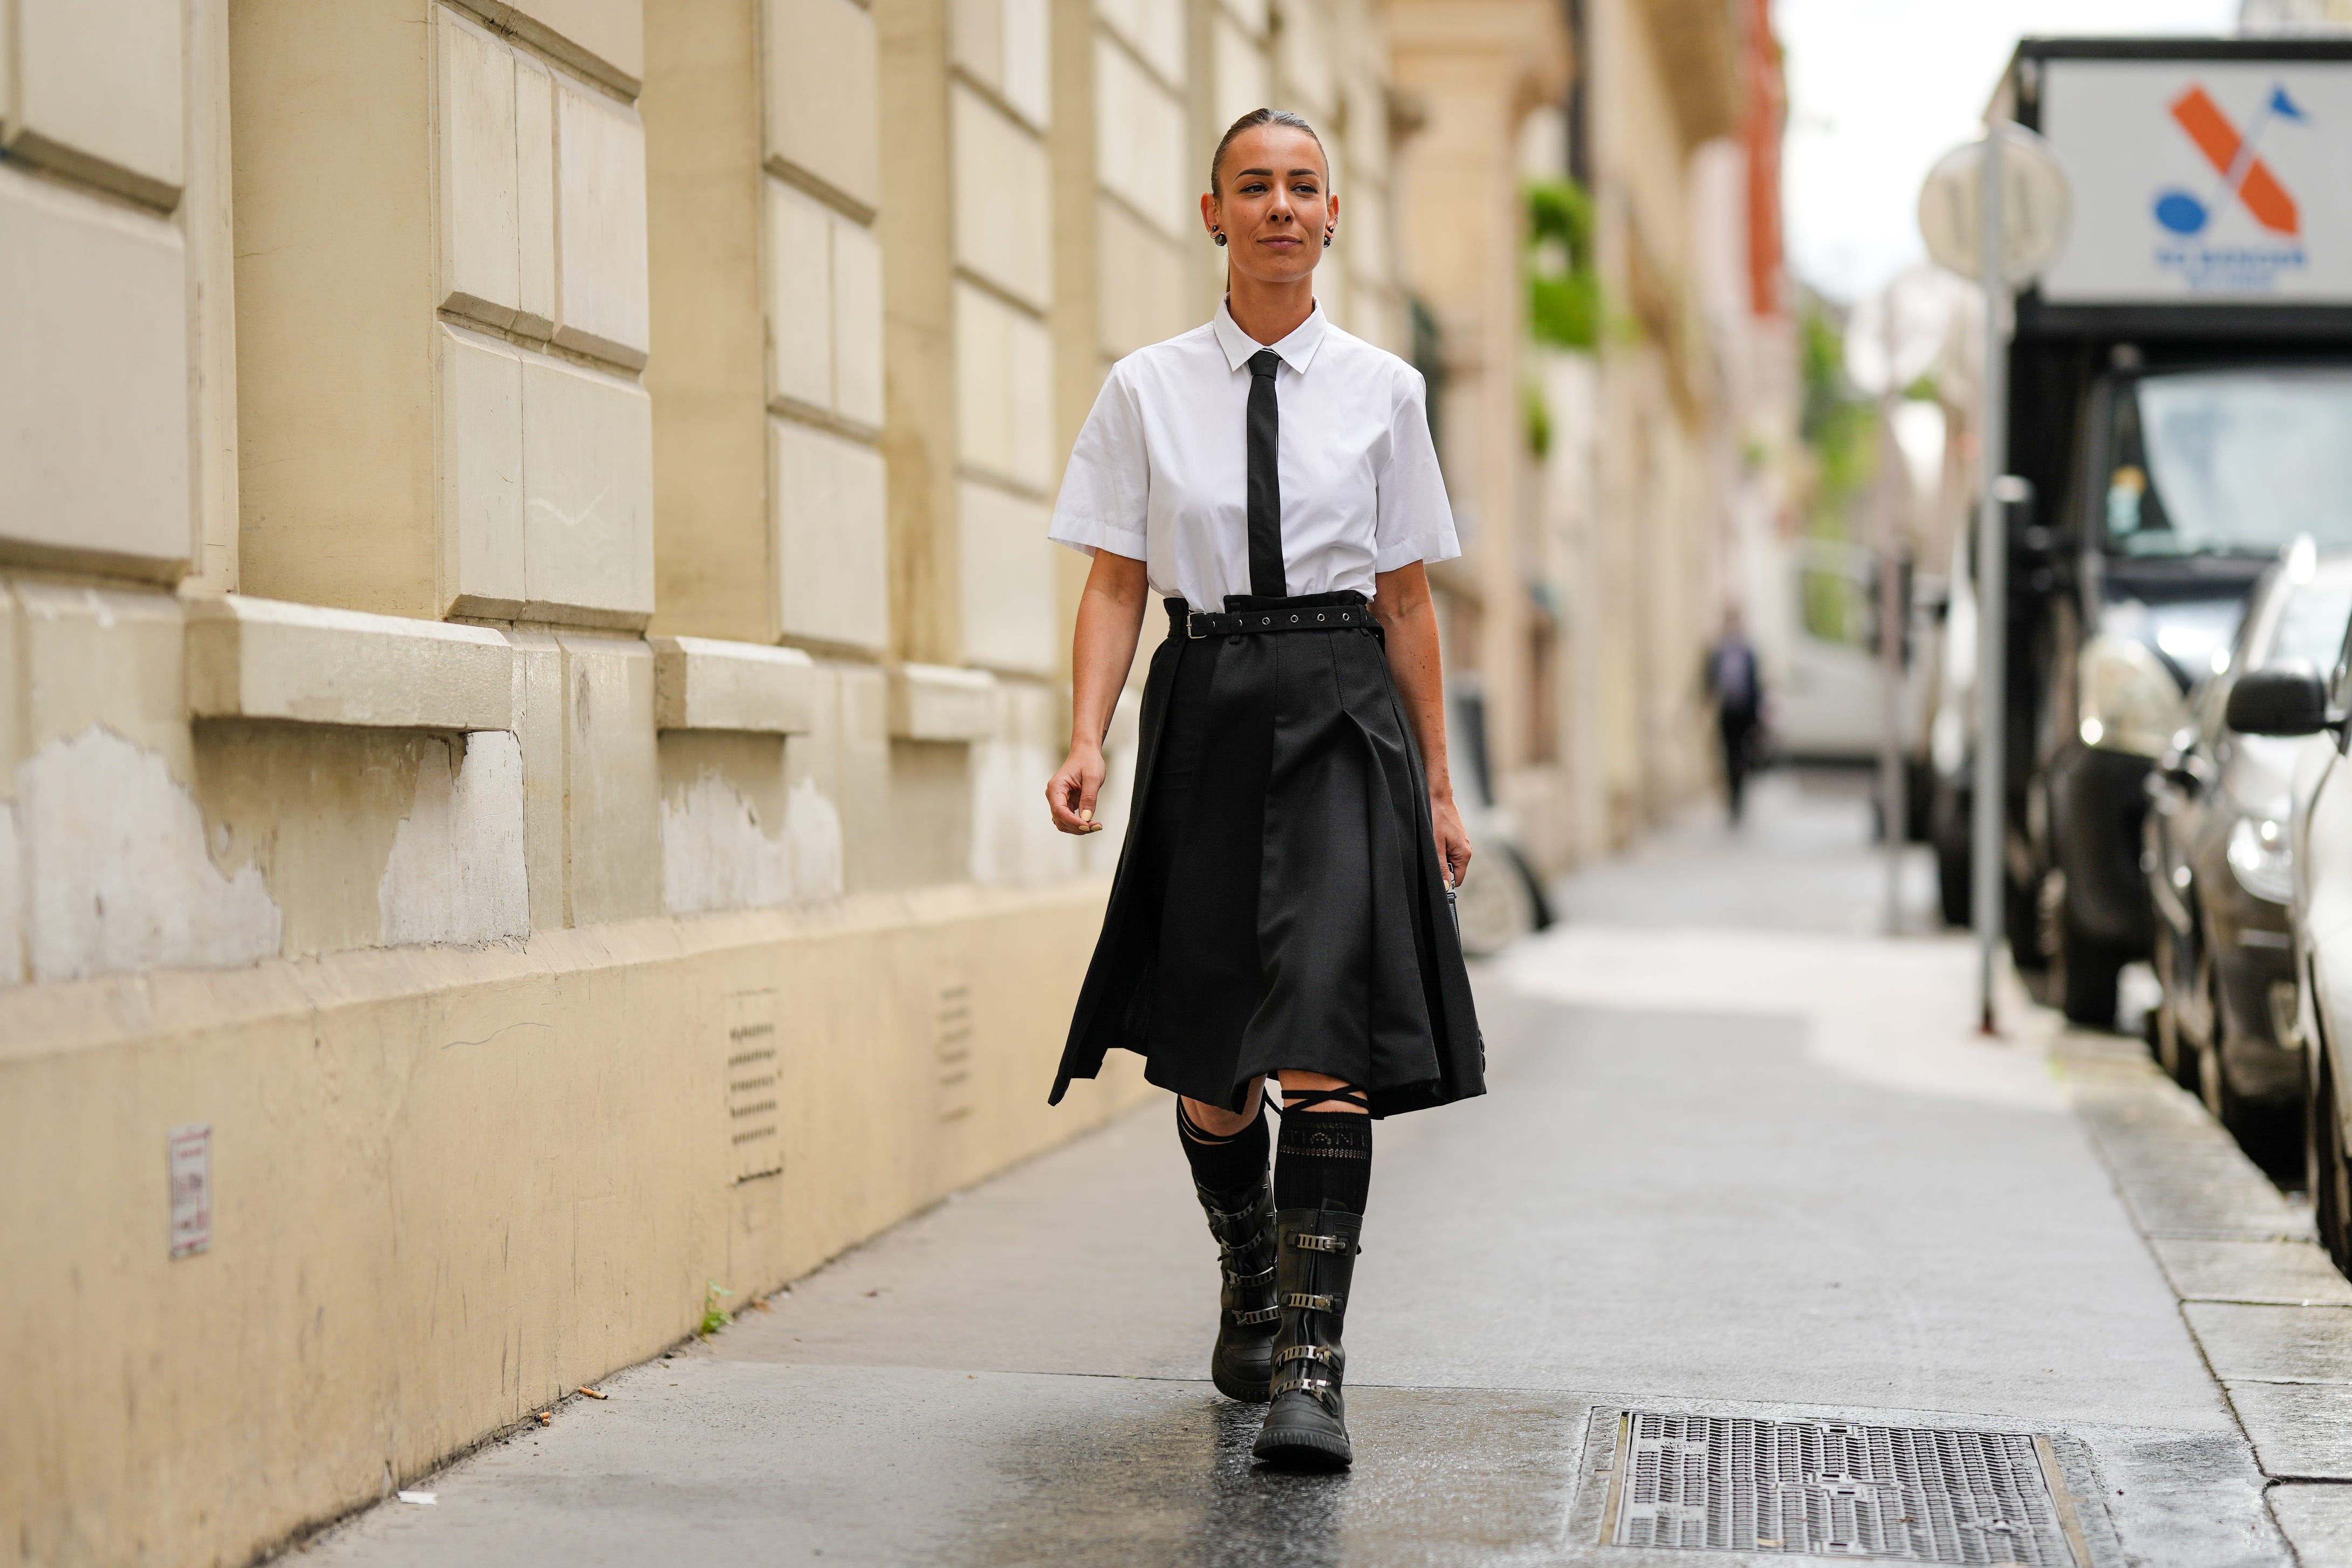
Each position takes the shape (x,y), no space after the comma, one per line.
(1840,1489)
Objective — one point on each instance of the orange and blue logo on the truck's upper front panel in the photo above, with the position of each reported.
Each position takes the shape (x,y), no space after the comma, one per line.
(2243,180)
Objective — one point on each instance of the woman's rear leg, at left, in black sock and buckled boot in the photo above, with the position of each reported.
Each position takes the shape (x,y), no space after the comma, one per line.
(1227,1153)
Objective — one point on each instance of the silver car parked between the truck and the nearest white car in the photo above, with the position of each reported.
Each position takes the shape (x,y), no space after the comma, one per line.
(2217,850)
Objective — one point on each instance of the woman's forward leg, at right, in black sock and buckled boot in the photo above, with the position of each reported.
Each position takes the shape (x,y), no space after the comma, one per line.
(1323,1174)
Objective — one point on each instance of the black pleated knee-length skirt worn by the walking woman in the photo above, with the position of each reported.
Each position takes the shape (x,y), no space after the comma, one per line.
(1281,902)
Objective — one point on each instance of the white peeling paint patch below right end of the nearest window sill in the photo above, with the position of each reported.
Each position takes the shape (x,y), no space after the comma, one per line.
(457,873)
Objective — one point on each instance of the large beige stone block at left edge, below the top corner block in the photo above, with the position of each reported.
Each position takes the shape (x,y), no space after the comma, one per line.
(95,398)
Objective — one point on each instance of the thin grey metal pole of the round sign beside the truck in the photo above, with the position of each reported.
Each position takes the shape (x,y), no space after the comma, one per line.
(1991,598)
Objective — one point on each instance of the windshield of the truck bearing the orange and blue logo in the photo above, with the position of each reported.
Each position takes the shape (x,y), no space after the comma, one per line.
(2231,464)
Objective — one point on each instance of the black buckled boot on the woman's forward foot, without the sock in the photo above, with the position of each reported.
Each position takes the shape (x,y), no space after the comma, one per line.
(1307,1428)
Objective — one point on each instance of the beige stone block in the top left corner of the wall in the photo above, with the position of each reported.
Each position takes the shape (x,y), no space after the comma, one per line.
(100,95)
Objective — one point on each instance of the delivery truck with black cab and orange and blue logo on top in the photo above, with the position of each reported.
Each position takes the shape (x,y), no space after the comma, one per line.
(2179,413)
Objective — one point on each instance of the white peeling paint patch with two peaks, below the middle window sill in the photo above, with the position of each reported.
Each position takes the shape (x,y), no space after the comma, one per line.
(719,857)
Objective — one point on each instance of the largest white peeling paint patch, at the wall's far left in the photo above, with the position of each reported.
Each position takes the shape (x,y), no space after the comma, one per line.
(116,869)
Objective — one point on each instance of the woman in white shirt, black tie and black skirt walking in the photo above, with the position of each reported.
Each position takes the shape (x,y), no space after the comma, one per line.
(1281,904)
